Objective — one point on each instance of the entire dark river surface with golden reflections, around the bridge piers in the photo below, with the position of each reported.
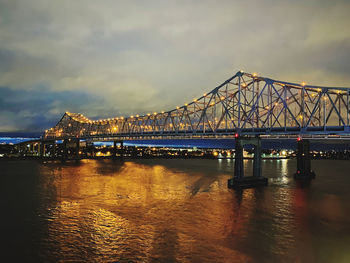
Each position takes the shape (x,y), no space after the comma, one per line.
(172,210)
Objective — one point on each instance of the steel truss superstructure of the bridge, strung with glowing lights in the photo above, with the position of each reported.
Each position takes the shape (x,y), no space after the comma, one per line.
(245,104)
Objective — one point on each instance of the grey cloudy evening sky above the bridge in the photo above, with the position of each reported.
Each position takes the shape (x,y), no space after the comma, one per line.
(112,58)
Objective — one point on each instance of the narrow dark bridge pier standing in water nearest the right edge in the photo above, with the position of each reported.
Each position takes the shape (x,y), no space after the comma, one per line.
(304,171)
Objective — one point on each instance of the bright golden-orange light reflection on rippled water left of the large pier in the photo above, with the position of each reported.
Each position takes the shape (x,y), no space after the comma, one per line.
(130,210)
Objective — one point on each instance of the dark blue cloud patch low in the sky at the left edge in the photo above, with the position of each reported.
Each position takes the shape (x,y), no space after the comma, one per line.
(38,109)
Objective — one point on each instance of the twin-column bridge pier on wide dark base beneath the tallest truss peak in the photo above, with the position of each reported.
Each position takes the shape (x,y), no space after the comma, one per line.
(239,180)
